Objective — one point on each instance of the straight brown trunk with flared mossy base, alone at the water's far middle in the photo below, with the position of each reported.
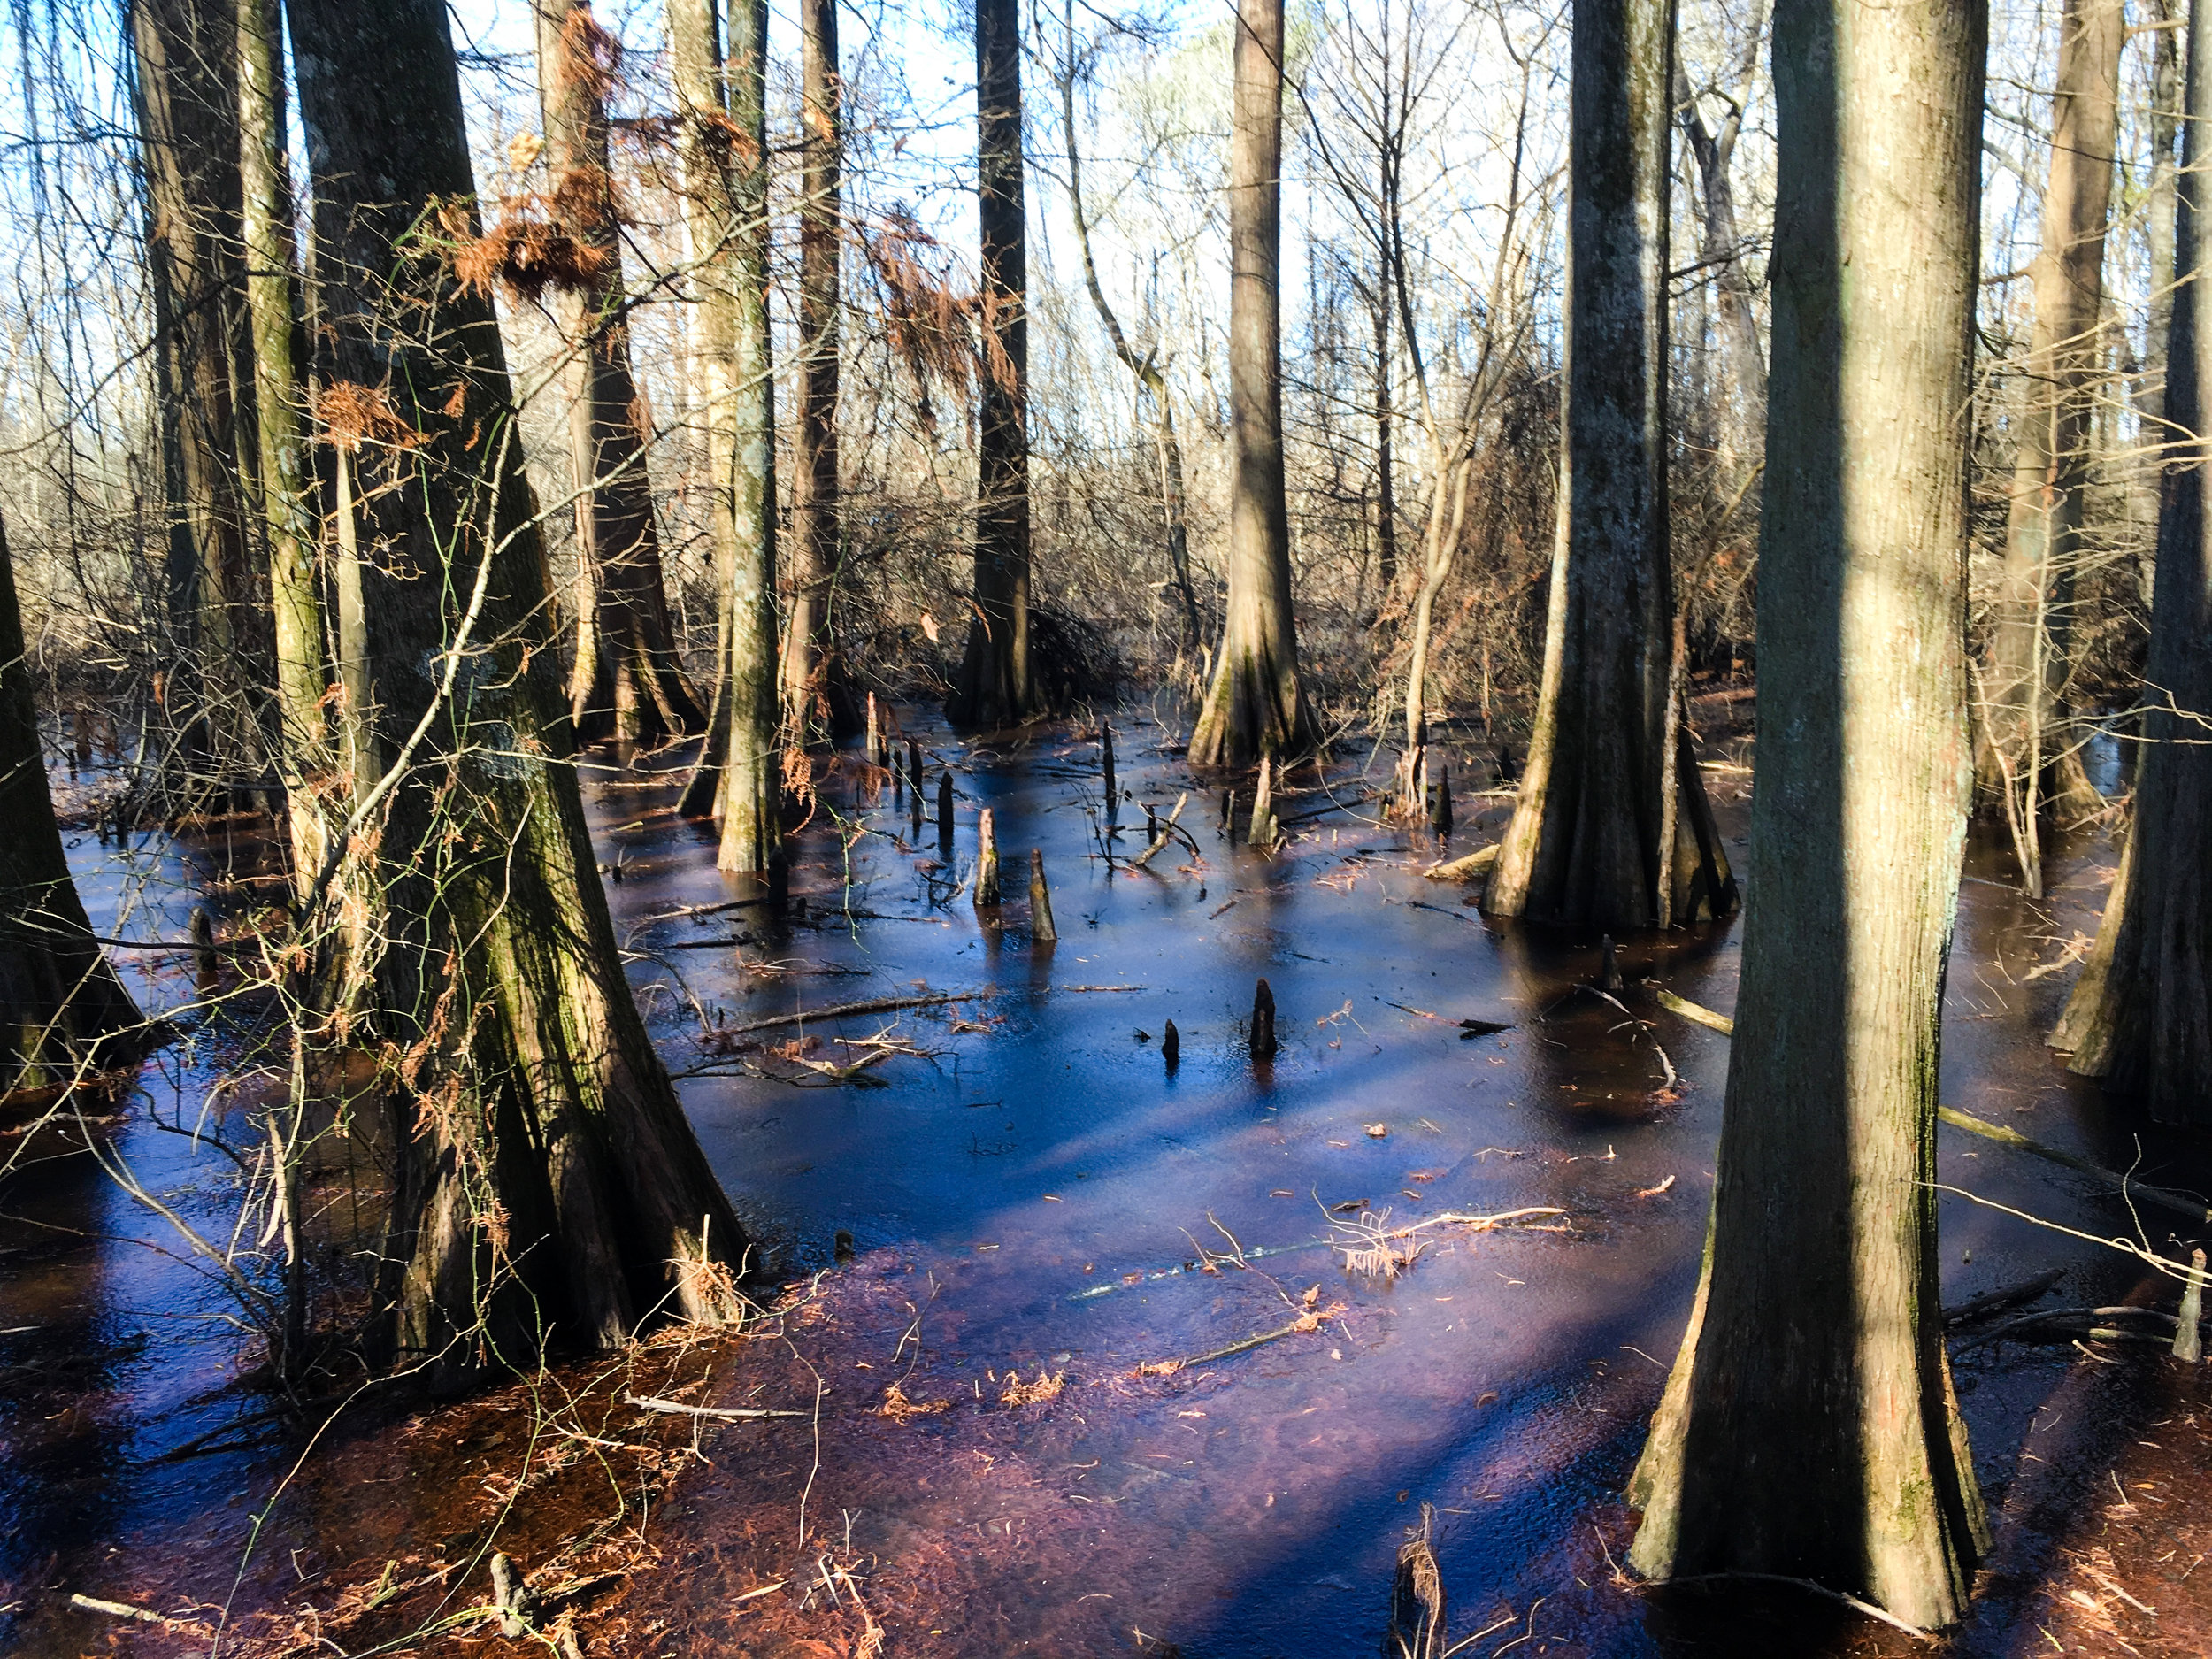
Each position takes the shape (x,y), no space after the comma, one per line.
(1255,705)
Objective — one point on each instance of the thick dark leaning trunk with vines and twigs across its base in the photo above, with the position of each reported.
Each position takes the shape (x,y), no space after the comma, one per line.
(550,1180)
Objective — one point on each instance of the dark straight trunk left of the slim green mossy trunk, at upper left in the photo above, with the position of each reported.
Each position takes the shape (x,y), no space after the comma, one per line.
(185,59)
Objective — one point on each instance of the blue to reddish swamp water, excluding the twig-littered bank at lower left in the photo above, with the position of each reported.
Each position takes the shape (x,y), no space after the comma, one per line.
(1036,1191)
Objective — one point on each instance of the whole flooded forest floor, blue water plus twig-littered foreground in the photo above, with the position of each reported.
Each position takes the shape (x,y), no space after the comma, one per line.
(1012,1262)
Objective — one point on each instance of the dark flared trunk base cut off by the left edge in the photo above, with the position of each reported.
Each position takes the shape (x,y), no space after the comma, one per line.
(63,1012)
